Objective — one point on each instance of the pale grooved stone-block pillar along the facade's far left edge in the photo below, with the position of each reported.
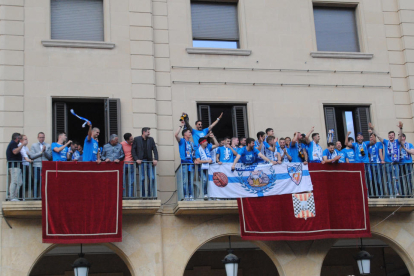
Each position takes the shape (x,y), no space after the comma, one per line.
(11,76)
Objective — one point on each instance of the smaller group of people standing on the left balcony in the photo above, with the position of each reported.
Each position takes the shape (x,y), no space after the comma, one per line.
(133,151)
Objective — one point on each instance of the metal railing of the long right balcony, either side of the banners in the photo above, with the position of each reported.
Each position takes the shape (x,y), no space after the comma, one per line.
(382,180)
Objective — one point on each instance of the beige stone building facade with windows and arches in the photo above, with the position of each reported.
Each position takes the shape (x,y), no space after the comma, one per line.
(140,62)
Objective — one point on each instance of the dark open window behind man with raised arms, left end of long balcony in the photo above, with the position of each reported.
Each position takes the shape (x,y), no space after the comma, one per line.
(233,123)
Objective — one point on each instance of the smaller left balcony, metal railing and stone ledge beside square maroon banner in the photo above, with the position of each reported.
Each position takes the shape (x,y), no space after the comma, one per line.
(137,199)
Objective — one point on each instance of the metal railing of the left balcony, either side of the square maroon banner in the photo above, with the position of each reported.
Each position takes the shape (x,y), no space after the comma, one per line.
(24,181)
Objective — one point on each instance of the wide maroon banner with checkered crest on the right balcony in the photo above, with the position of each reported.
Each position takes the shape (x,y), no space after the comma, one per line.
(337,208)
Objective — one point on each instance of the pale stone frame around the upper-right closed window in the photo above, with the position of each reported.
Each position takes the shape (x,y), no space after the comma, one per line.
(359,18)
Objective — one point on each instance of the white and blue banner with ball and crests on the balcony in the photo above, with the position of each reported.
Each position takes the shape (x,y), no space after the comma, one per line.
(257,180)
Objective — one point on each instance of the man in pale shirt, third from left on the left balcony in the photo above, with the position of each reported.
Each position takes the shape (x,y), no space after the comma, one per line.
(39,152)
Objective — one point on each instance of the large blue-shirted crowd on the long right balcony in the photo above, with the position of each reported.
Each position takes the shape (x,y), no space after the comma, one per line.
(198,146)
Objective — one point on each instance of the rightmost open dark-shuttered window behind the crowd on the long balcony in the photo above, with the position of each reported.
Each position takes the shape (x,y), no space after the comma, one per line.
(347,118)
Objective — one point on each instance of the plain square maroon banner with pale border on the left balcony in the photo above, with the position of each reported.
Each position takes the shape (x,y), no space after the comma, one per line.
(81,202)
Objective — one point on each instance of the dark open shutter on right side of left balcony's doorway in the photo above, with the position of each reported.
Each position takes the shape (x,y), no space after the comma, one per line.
(113,118)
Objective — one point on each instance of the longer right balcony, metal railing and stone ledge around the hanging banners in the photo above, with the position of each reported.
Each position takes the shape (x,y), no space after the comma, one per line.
(390,186)
